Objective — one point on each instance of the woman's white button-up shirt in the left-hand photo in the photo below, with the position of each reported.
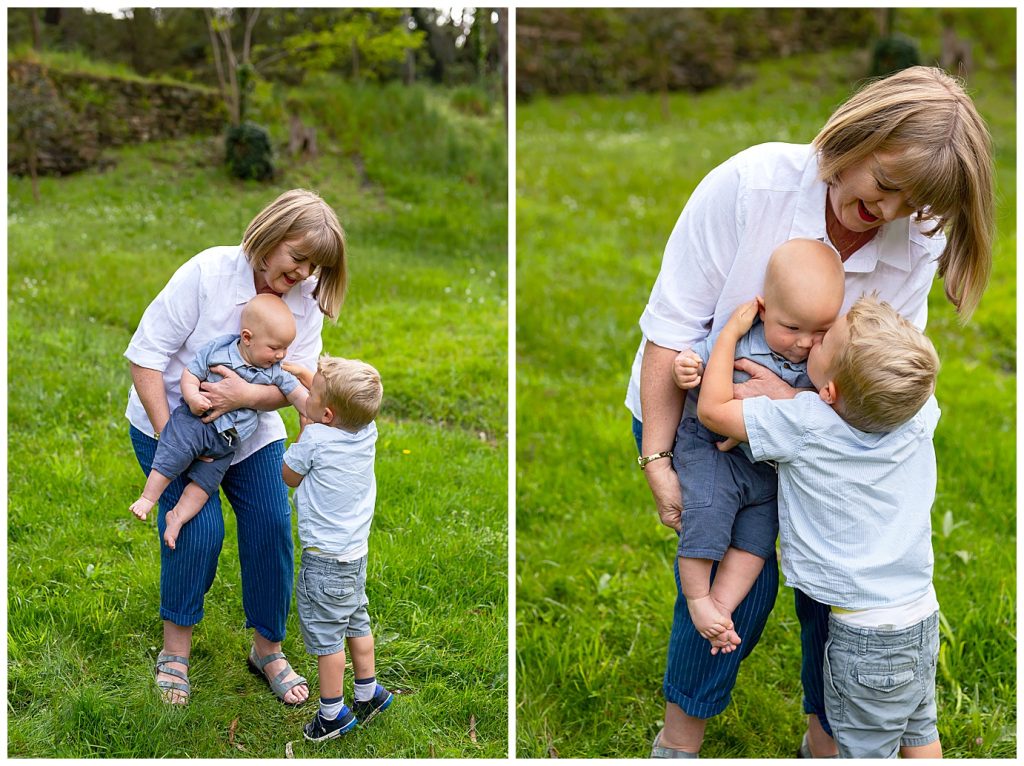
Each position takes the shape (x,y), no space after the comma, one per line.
(203,301)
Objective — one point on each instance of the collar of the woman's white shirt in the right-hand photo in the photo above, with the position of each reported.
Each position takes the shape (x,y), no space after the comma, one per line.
(889,246)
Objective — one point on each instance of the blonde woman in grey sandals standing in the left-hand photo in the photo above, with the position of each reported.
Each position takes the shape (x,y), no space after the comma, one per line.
(295,249)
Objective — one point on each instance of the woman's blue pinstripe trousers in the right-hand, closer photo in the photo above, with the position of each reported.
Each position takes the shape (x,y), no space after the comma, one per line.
(702,685)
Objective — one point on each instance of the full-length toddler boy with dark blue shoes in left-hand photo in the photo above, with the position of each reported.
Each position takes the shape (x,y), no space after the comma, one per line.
(332,465)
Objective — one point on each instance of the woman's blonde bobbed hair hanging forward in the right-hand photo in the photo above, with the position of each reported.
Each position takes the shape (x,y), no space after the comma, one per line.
(943,157)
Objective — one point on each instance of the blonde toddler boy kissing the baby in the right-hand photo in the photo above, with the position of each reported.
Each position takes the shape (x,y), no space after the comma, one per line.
(857,473)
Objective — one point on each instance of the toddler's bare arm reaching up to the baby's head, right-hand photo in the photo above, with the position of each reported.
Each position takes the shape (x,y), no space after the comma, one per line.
(716,408)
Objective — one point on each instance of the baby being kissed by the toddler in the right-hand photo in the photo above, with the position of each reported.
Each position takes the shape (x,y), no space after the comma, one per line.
(731,508)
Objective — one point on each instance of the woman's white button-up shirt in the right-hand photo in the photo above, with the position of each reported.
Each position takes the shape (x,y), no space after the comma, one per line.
(738,216)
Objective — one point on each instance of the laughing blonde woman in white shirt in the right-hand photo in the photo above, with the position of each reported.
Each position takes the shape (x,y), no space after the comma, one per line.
(900,182)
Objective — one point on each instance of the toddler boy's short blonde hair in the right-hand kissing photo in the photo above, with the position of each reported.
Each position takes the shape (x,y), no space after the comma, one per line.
(886,370)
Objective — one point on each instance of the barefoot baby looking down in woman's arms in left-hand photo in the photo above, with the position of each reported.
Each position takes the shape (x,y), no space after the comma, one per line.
(204,451)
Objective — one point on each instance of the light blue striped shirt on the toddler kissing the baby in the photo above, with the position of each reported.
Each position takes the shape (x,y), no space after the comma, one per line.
(855,508)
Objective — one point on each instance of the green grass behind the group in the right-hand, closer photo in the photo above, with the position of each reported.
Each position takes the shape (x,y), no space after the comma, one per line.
(601,183)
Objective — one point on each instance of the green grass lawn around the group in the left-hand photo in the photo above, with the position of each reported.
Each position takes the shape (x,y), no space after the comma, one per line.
(428,306)
